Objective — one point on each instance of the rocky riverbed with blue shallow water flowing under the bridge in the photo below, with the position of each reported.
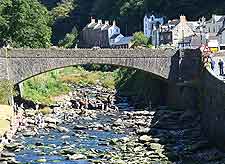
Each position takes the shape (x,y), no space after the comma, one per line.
(118,134)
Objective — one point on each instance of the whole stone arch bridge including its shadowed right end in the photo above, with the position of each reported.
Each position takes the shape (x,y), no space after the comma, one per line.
(18,65)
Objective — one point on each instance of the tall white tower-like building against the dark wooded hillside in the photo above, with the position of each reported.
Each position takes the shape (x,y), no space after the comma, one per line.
(150,23)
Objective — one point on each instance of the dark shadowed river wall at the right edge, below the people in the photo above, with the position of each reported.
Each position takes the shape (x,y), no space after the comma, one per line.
(213,108)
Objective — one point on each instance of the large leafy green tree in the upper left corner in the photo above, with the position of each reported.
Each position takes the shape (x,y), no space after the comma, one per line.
(25,23)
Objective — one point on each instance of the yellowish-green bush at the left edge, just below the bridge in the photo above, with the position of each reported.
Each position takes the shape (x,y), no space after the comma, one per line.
(6,91)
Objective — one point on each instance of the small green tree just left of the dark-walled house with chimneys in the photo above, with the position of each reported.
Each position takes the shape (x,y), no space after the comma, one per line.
(70,39)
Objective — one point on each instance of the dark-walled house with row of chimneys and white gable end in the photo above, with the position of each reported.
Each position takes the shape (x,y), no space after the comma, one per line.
(101,35)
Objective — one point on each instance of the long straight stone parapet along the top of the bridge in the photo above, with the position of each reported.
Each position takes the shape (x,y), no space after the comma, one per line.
(89,53)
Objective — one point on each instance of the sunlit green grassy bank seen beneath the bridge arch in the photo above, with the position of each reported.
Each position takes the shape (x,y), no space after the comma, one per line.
(43,88)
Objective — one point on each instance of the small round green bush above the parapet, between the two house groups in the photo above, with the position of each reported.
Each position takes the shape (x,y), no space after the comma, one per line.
(140,39)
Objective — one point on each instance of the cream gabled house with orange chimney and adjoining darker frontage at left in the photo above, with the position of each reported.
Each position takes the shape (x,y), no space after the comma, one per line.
(179,33)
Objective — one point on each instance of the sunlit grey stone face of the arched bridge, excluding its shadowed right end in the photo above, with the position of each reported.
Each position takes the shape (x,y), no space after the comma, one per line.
(25,63)
